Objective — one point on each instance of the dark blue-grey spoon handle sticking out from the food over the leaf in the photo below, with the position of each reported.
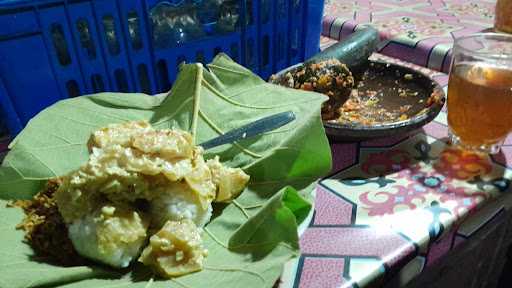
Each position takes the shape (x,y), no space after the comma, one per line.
(252,129)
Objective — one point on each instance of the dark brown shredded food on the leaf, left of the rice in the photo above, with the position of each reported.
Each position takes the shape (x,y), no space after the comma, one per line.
(45,230)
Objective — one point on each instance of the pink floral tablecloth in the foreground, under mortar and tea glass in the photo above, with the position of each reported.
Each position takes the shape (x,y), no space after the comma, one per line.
(398,202)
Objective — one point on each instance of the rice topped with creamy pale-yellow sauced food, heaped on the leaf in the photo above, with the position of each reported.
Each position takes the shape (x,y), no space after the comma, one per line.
(139,179)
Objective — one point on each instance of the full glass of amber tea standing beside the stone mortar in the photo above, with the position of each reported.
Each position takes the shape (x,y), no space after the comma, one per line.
(480,92)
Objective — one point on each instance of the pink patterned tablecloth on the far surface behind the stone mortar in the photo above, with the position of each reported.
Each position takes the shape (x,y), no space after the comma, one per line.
(420,32)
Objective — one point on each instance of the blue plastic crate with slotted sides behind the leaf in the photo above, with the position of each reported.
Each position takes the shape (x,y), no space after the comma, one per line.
(51,50)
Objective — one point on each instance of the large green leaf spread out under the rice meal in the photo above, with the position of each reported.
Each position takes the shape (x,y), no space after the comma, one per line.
(248,241)
